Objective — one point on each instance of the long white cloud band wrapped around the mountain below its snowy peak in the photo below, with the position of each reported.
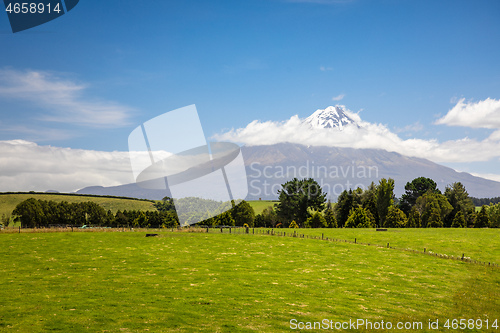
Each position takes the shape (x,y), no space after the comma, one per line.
(368,135)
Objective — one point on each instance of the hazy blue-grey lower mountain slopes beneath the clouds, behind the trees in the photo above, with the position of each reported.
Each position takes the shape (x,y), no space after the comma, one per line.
(336,169)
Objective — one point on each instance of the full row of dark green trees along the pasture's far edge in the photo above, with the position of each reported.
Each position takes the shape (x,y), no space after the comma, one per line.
(302,203)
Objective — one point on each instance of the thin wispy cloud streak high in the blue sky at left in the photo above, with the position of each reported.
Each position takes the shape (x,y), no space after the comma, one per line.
(62,98)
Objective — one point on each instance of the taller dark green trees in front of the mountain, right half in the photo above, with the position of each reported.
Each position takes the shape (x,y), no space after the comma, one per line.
(303,204)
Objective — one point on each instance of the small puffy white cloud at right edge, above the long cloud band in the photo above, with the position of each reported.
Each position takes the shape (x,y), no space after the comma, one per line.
(483,114)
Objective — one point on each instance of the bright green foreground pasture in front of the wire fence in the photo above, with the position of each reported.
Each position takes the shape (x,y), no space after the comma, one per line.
(189,282)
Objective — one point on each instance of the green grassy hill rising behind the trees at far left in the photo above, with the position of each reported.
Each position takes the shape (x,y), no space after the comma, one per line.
(9,201)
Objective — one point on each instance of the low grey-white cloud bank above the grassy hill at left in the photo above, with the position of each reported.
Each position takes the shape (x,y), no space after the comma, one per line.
(26,166)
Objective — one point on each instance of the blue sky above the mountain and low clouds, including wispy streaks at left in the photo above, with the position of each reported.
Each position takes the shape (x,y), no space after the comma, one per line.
(86,80)
